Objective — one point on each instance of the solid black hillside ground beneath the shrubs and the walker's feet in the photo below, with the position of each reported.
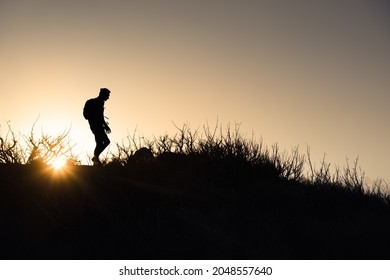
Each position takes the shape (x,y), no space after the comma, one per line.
(174,210)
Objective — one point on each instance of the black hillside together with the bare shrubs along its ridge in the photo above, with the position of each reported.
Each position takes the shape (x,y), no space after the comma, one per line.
(207,194)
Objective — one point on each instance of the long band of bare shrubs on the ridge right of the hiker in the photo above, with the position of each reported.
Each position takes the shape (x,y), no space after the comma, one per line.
(216,143)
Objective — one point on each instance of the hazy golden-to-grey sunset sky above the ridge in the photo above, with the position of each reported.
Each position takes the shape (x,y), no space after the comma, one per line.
(306,72)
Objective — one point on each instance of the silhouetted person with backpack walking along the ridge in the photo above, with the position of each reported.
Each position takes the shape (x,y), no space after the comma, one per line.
(94,112)
